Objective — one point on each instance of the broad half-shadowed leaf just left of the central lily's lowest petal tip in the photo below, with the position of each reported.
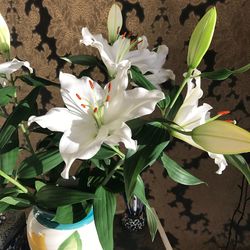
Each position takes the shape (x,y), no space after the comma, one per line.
(40,163)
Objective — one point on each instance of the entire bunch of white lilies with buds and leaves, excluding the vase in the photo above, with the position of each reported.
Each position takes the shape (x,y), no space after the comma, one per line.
(102,125)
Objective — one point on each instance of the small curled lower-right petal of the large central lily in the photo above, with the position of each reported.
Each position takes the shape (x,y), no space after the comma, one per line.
(124,135)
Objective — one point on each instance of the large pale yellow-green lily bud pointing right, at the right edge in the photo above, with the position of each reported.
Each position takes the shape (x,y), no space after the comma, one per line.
(222,137)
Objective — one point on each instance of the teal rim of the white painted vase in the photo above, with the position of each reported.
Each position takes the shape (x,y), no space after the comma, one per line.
(44,218)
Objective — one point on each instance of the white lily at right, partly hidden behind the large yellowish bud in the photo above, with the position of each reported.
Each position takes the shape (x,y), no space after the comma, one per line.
(190,115)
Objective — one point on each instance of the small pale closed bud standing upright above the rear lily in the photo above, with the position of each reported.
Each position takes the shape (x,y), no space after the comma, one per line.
(114,23)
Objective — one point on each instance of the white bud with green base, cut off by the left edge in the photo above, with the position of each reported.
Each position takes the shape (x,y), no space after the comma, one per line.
(4,37)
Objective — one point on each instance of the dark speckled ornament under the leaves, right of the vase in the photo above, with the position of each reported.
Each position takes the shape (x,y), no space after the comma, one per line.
(134,217)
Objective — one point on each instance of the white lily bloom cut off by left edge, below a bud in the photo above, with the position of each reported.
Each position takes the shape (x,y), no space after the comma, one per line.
(8,68)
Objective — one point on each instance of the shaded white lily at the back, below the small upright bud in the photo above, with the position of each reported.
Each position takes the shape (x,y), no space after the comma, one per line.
(113,55)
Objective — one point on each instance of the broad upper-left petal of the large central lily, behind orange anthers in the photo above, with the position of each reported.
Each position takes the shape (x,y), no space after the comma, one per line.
(79,94)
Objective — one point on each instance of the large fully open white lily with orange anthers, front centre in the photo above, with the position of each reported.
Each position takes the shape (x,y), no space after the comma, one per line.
(94,115)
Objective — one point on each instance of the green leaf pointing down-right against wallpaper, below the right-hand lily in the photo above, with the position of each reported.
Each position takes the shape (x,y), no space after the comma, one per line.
(177,173)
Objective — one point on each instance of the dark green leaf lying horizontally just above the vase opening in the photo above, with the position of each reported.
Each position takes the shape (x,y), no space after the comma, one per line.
(52,197)
